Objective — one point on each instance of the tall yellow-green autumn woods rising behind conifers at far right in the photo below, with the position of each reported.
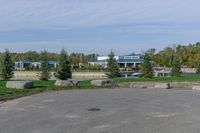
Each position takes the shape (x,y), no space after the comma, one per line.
(187,55)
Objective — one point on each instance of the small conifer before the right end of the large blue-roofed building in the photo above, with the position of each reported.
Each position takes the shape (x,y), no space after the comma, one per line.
(146,67)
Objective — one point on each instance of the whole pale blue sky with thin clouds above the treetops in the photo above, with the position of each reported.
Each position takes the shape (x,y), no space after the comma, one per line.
(97,26)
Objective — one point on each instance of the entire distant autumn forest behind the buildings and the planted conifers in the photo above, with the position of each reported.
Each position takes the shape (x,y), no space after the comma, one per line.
(188,55)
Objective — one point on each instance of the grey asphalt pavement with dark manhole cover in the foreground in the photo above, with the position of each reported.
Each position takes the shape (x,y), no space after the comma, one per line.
(103,111)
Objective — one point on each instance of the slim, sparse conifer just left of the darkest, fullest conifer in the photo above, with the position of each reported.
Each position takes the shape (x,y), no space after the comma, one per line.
(45,70)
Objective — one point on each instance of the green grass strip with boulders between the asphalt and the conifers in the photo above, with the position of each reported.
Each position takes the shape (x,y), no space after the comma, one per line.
(42,86)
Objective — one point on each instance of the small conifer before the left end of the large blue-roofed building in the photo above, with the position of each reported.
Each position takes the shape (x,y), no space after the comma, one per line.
(112,67)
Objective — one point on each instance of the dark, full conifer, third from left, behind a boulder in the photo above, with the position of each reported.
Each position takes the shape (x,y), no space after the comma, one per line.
(64,67)
